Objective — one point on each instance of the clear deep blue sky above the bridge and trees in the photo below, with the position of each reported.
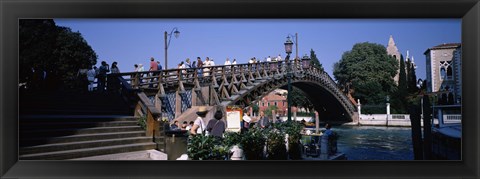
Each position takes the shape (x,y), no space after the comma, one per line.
(134,41)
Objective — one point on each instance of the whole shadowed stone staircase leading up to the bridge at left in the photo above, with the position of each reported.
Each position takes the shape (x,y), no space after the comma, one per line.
(70,125)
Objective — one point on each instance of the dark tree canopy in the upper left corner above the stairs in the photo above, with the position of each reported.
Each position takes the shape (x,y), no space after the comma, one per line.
(54,49)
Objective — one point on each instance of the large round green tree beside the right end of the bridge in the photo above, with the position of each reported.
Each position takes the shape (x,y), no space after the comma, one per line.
(366,72)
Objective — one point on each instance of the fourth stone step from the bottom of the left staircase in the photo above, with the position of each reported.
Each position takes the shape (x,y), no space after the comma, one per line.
(76,131)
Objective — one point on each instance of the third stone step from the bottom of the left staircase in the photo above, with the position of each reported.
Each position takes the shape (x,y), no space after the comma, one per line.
(76,138)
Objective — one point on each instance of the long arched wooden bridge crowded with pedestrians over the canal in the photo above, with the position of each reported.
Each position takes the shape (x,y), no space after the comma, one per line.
(171,92)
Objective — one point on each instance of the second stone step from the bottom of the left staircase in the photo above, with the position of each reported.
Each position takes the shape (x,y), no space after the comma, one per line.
(82,145)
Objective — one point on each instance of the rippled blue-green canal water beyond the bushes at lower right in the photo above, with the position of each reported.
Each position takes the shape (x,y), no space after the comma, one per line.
(375,143)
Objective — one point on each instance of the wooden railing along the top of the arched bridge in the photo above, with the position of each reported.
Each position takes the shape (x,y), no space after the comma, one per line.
(225,74)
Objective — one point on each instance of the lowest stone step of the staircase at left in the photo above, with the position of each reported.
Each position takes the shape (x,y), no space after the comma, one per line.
(79,153)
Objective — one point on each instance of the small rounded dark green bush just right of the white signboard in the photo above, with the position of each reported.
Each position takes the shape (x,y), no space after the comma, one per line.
(252,144)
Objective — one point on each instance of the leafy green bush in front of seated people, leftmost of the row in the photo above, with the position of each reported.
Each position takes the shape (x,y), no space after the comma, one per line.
(202,147)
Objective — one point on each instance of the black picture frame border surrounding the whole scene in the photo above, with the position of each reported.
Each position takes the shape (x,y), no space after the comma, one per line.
(11,11)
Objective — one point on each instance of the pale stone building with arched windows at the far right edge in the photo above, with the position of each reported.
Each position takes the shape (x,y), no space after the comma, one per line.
(444,64)
